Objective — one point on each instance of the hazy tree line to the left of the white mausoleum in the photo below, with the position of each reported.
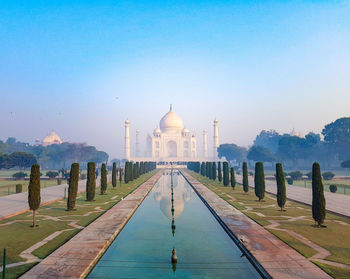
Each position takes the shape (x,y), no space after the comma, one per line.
(14,153)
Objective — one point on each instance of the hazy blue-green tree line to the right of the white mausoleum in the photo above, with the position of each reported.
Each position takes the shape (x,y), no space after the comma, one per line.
(333,151)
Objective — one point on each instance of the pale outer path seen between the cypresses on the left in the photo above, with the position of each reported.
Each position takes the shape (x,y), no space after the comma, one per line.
(18,203)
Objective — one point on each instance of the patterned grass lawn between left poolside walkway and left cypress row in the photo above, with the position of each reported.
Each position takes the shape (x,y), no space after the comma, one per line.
(17,235)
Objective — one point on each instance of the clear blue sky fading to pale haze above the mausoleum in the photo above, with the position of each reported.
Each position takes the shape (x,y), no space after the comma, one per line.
(83,67)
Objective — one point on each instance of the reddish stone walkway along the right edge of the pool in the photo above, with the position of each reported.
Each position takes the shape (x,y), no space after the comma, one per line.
(276,257)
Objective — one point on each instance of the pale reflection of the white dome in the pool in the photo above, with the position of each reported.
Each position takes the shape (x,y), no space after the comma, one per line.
(162,193)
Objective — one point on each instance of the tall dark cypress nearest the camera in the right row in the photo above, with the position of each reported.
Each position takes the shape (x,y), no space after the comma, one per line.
(318,200)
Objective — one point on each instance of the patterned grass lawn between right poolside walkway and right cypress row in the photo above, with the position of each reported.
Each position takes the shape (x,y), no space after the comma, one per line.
(335,237)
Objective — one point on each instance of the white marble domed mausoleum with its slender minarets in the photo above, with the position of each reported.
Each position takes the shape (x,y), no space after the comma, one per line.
(171,141)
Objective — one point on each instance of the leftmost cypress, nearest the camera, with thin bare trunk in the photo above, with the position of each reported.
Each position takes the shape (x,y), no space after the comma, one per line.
(34,197)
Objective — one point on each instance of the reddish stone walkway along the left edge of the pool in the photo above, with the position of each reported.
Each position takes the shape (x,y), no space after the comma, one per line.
(78,256)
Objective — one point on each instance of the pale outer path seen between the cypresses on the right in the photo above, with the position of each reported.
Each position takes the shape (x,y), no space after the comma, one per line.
(336,203)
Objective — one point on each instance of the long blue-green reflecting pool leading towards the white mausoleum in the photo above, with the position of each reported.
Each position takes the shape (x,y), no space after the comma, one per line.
(173,216)
